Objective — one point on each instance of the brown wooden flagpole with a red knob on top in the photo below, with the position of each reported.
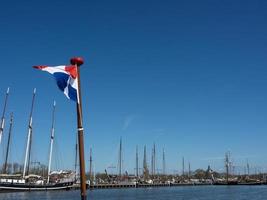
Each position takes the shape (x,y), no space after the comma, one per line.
(77,61)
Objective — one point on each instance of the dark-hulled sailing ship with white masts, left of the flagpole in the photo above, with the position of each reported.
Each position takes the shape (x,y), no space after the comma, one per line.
(31,182)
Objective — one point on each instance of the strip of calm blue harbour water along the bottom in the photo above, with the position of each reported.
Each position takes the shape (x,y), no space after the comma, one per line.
(164,193)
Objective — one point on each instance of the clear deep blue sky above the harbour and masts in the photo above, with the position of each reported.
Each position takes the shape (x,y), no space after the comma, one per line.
(190,76)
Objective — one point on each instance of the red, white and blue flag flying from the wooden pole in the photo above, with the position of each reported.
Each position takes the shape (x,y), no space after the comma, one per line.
(66,78)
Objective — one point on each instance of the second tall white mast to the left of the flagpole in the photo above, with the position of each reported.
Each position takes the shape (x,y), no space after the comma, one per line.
(28,148)
